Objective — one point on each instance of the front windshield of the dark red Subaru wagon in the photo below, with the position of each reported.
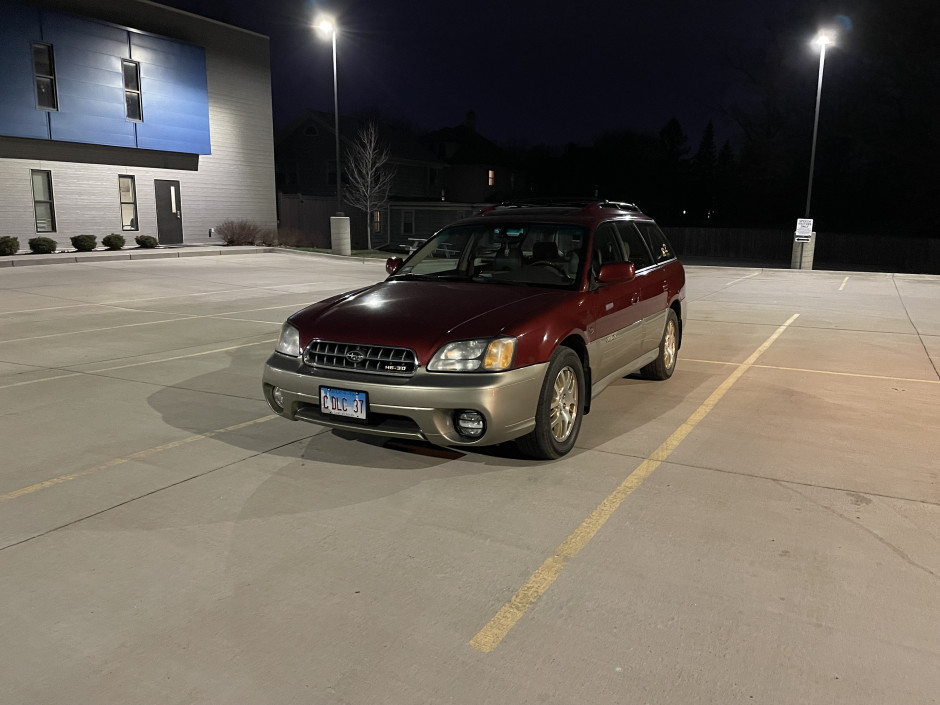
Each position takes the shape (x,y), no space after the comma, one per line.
(535,254)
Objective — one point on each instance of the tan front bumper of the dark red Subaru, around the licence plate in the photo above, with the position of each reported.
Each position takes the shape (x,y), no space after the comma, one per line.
(418,407)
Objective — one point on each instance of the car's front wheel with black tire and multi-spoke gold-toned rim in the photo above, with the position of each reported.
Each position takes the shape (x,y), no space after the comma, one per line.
(560,408)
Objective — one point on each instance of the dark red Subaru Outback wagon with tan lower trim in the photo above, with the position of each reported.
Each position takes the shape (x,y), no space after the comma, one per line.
(503,326)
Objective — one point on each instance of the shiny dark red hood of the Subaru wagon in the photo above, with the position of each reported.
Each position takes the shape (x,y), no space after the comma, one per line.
(421,315)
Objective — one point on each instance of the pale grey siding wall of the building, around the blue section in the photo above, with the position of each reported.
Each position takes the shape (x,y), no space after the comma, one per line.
(235,181)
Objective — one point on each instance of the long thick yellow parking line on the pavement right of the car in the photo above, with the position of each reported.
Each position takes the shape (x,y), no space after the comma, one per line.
(498,627)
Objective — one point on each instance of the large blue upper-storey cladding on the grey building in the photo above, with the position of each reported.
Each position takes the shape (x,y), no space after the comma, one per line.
(90,84)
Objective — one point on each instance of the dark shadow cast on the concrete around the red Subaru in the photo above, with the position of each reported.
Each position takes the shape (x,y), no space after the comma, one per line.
(231,395)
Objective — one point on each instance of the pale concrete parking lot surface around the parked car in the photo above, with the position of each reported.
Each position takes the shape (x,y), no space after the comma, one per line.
(762,528)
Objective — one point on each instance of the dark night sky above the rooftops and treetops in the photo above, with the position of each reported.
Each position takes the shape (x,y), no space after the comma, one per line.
(533,72)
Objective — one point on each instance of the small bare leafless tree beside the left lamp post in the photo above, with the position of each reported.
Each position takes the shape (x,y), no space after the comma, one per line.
(368,174)
